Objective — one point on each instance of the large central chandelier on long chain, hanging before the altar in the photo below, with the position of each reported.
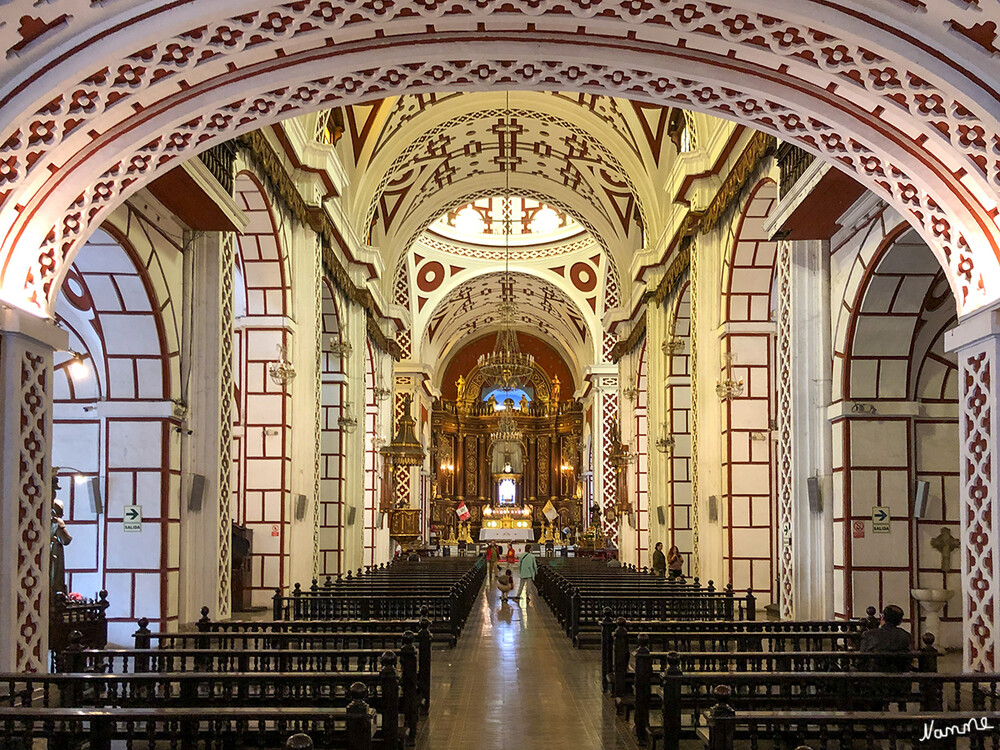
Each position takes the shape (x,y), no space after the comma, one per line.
(506,366)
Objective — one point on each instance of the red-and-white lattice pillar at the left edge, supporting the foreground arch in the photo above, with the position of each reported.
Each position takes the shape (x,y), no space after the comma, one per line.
(26,346)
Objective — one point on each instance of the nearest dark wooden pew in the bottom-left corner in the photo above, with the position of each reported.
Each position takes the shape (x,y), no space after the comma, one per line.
(198,728)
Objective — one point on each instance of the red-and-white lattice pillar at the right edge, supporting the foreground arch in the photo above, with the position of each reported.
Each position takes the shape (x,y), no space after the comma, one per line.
(976,343)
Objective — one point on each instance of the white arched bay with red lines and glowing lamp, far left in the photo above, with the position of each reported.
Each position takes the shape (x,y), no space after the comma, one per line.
(115,440)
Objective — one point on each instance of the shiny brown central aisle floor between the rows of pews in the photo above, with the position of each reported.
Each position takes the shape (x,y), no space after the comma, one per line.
(514,682)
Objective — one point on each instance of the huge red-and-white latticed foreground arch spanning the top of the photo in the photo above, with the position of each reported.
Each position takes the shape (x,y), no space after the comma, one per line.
(97,99)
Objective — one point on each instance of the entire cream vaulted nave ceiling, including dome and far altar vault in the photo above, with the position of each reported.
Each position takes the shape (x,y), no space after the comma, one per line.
(418,161)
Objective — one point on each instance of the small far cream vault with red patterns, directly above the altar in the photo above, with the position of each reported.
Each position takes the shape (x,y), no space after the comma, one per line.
(470,309)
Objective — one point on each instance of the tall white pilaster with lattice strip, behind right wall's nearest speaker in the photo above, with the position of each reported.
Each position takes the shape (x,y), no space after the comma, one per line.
(804,436)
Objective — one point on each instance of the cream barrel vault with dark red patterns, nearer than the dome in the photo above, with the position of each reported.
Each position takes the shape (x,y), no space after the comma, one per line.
(592,157)
